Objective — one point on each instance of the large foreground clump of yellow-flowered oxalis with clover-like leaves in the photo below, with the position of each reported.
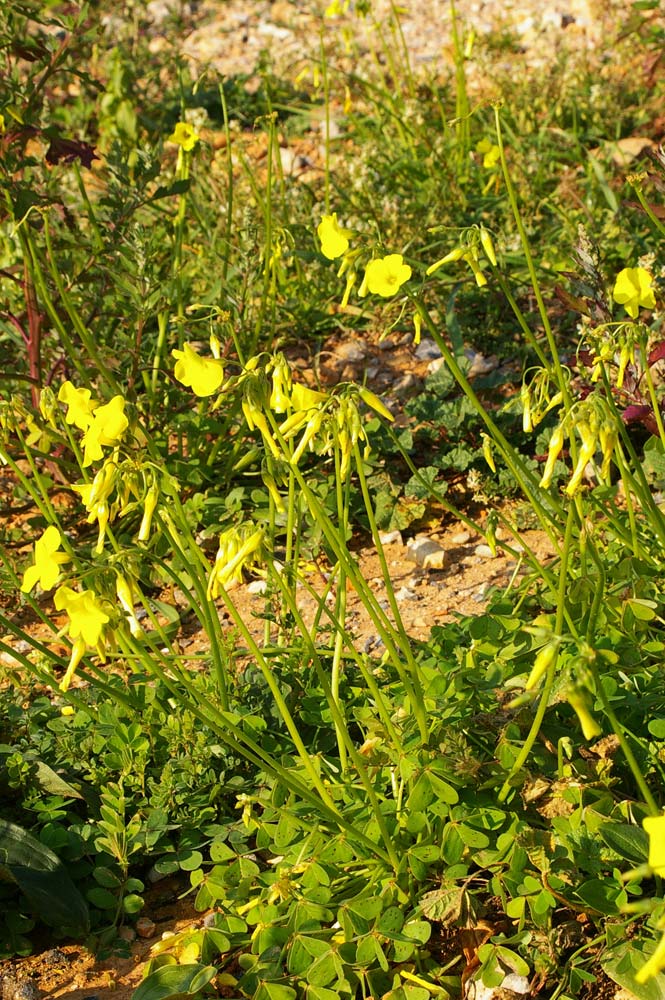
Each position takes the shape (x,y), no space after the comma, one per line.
(396,793)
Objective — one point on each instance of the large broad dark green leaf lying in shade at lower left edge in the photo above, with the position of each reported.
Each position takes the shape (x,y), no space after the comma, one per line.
(42,879)
